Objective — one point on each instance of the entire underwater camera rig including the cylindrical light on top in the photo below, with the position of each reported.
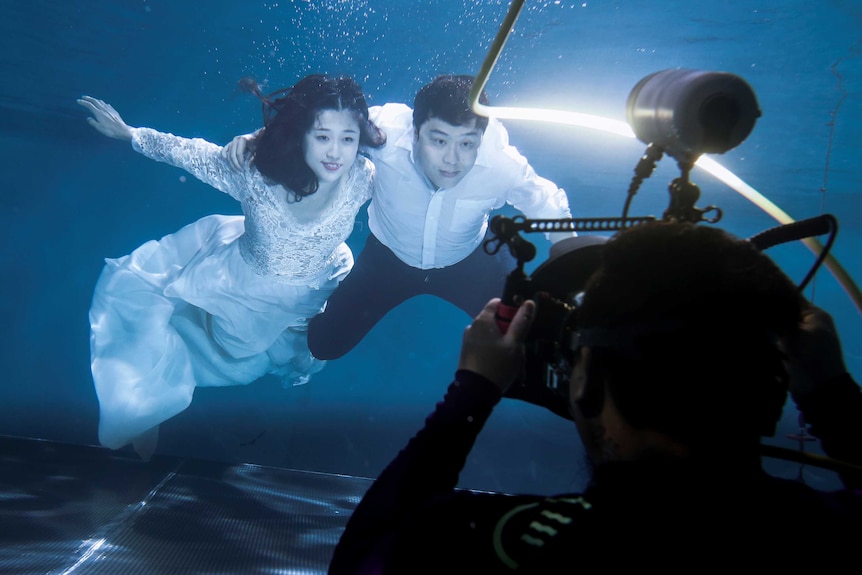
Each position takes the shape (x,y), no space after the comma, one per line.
(683,113)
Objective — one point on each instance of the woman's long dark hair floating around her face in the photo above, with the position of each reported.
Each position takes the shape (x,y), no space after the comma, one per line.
(288,114)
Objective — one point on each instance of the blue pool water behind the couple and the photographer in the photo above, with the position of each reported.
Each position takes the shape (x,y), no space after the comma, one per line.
(71,197)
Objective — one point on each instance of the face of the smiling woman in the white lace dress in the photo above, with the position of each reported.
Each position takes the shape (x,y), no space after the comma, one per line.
(331,145)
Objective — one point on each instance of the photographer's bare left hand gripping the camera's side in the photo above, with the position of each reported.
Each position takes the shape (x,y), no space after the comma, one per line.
(487,351)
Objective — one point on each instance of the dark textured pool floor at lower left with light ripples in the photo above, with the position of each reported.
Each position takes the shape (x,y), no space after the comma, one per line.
(77,509)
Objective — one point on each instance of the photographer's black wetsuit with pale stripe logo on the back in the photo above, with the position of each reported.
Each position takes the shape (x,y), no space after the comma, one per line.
(674,515)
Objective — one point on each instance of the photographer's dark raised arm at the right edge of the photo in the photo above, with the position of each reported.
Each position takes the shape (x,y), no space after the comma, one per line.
(825,393)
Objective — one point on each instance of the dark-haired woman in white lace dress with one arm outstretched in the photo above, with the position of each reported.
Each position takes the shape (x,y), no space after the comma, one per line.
(226,299)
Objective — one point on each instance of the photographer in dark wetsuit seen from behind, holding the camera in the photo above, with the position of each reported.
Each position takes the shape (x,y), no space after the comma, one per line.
(680,365)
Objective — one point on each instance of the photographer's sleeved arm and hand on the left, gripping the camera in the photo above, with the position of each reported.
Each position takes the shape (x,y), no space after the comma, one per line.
(413,497)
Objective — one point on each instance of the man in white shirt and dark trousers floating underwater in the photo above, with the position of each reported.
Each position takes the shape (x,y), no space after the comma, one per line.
(441,172)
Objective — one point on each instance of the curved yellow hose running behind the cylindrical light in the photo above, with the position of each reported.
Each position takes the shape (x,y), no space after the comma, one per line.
(623,129)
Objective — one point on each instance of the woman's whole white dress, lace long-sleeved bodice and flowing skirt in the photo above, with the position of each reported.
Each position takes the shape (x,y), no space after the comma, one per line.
(223,301)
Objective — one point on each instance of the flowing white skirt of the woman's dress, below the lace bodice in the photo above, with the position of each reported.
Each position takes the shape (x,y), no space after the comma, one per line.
(187,311)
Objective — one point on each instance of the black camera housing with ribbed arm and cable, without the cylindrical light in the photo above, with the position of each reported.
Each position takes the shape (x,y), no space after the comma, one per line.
(557,283)
